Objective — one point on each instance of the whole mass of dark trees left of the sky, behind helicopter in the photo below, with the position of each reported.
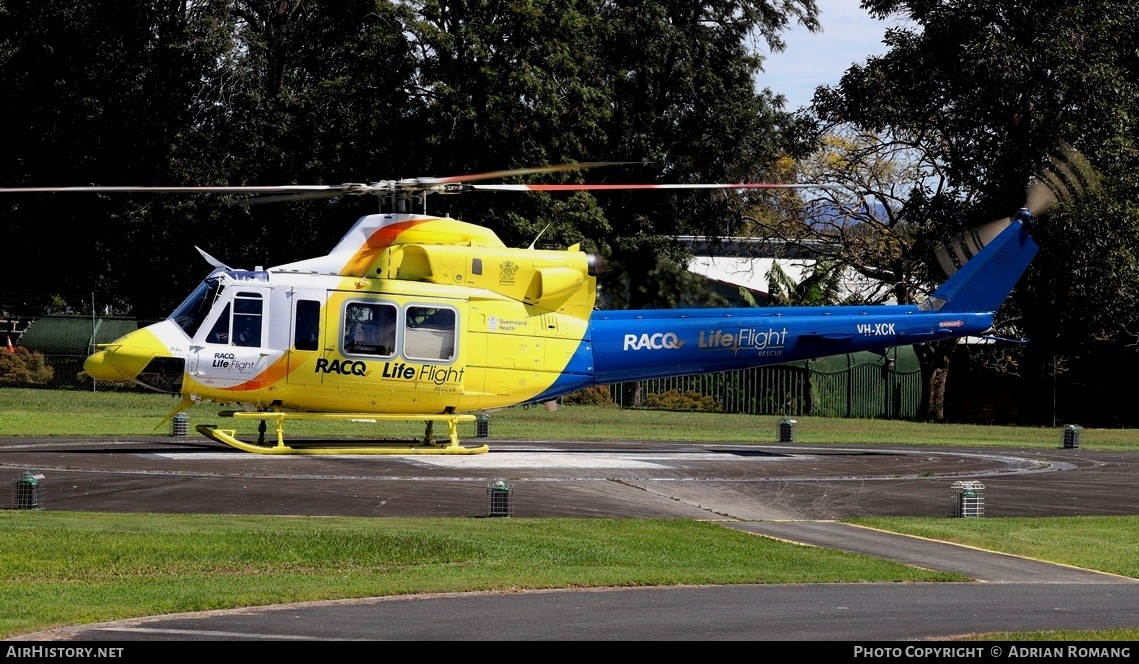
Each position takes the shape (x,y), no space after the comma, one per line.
(249,93)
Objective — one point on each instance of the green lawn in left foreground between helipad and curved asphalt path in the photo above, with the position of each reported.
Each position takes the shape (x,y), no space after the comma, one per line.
(65,569)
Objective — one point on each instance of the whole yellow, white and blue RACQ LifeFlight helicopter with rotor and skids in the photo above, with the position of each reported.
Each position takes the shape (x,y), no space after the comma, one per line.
(416,317)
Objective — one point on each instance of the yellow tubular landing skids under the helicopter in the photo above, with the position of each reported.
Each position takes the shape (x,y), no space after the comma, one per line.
(429,446)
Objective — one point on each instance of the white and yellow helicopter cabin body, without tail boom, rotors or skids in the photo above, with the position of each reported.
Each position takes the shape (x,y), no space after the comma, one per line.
(407,316)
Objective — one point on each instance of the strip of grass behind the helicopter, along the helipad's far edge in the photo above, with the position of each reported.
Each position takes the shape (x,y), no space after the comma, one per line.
(46,413)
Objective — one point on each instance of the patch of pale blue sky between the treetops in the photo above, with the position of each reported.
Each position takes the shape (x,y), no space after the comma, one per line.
(849,36)
